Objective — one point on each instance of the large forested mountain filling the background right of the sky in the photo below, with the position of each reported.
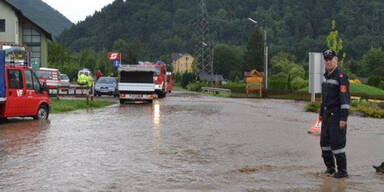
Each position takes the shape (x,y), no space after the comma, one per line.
(296,27)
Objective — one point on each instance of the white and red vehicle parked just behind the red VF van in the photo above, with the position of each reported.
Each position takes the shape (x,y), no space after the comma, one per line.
(49,76)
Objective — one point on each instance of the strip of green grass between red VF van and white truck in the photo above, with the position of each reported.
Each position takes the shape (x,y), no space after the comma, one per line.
(66,105)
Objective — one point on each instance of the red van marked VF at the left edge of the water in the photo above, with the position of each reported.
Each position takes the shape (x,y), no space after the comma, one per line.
(21,94)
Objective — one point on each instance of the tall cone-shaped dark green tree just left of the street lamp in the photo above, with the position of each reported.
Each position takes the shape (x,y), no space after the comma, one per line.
(254,54)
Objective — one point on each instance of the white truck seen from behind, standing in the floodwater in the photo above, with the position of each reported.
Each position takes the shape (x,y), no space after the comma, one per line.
(136,83)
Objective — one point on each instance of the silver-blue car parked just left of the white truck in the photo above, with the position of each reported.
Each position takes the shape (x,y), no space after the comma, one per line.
(106,86)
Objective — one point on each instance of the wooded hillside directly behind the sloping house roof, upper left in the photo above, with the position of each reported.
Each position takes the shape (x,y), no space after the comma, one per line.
(43,15)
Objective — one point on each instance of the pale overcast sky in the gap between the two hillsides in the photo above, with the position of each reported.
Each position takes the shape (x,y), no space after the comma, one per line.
(77,10)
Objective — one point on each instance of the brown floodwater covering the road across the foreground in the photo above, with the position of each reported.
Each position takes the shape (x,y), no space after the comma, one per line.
(186,142)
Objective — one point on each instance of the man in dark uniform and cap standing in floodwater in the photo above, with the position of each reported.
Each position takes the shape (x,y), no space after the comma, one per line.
(334,113)
